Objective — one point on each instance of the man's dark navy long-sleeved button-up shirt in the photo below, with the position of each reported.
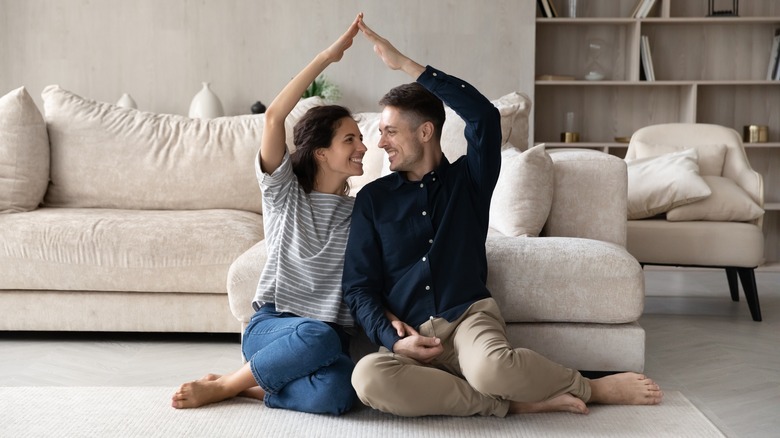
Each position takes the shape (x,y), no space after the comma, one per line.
(417,248)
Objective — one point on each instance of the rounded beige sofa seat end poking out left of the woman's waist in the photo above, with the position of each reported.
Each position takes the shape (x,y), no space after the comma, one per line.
(243,276)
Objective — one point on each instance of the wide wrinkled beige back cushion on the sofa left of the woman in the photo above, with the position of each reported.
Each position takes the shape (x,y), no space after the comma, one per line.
(105,156)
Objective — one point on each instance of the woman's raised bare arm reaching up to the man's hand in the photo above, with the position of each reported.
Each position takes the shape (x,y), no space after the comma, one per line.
(273,144)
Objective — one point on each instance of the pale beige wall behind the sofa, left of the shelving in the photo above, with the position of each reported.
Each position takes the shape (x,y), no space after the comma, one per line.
(160,51)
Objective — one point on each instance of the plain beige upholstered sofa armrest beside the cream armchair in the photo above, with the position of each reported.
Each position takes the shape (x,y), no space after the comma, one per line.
(590,196)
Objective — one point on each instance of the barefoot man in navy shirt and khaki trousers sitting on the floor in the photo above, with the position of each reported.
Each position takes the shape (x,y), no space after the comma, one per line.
(415,270)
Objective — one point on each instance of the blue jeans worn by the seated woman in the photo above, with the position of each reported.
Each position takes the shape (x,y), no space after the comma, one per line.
(302,364)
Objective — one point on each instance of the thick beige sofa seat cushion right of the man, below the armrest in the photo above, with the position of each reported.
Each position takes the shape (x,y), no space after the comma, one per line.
(563,279)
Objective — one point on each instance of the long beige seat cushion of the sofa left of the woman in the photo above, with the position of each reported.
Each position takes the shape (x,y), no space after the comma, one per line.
(123,250)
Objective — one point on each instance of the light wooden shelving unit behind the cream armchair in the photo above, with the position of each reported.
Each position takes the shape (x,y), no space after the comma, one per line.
(707,69)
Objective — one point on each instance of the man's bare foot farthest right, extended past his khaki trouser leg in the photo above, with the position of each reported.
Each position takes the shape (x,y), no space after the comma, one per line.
(625,389)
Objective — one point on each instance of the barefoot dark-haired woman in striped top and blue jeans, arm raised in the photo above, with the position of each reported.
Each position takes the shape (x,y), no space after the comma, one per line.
(295,344)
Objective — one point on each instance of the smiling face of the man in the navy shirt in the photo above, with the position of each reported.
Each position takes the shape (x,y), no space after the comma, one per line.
(401,140)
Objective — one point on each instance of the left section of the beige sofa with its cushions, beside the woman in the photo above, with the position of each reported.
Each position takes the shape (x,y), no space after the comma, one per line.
(113,219)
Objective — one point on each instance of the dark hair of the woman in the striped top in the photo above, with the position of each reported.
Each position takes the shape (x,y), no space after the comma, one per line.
(313,131)
